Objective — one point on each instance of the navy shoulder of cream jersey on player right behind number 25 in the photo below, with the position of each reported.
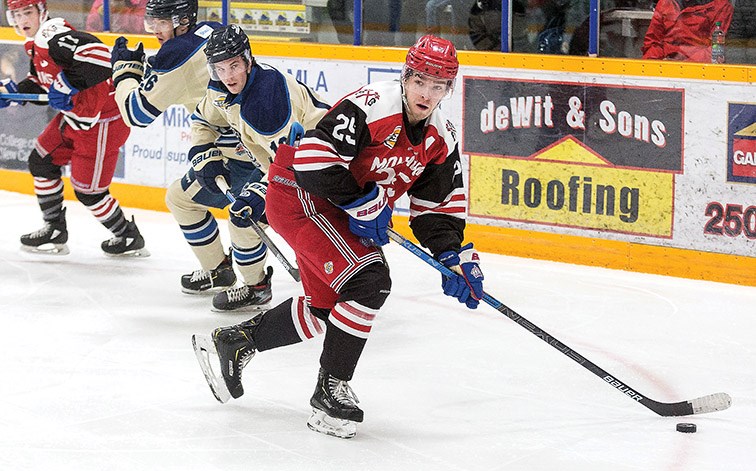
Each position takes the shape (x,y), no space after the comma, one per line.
(267,105)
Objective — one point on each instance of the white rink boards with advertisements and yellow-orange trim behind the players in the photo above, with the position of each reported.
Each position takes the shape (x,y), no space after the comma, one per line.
(618,163)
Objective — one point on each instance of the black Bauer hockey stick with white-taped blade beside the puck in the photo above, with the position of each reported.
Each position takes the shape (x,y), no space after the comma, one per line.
(700,405)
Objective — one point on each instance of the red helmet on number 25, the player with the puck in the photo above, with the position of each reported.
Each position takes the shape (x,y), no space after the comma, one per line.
(433,56)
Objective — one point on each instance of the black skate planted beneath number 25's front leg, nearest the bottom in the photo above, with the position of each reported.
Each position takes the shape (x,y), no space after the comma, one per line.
(334,407)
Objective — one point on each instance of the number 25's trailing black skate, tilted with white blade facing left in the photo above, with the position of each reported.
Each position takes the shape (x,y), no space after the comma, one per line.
(233,347)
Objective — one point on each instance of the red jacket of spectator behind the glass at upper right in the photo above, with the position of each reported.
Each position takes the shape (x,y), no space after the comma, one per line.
(681,29)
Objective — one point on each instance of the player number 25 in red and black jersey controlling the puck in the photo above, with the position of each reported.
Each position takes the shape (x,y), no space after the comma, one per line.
(332,199)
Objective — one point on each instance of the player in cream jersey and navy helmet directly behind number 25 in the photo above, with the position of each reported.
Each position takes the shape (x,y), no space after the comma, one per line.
(260,104)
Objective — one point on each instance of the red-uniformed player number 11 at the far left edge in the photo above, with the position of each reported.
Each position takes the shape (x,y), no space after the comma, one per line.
(73,69)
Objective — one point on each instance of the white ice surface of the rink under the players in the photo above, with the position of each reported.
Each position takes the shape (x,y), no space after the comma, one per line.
(98,371)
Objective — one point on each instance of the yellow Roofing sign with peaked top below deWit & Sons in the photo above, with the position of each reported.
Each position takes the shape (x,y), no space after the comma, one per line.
(569,185)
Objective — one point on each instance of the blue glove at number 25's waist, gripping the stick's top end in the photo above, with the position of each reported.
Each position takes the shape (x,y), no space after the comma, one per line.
(369,216)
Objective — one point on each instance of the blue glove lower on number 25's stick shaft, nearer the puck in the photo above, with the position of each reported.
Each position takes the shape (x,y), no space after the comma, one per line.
(467,287)
